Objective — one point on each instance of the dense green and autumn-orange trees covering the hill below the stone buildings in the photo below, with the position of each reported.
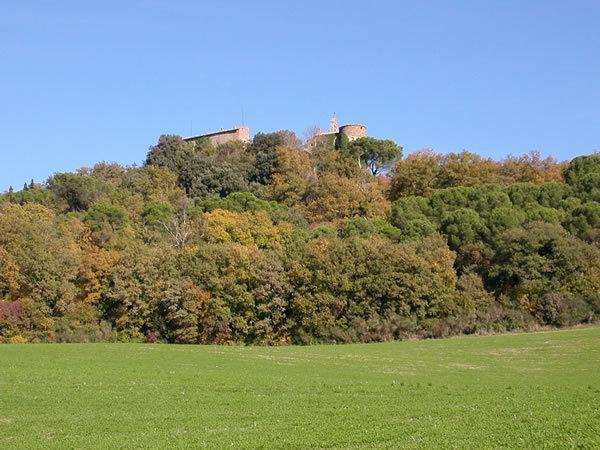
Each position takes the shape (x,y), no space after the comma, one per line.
(270,243)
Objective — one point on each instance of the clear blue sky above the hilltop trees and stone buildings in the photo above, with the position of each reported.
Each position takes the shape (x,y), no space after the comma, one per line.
(82,82)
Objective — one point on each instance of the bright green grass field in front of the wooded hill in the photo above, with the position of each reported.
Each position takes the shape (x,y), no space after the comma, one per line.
(526,390)
